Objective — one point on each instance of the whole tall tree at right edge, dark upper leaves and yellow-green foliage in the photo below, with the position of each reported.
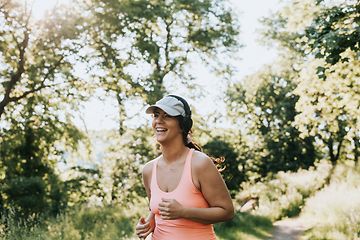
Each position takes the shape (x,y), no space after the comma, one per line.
(328,40)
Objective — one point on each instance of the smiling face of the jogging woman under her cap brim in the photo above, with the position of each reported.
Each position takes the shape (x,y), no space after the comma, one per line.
(165,127)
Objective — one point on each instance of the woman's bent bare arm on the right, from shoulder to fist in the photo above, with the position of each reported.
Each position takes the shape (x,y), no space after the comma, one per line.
(214,190)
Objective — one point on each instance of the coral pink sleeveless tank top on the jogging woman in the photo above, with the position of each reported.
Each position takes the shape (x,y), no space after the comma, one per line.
(188,196)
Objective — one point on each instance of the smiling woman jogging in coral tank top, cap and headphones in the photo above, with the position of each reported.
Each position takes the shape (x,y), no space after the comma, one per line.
(186,191)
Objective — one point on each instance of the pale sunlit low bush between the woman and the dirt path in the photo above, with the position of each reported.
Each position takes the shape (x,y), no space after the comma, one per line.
(285,194)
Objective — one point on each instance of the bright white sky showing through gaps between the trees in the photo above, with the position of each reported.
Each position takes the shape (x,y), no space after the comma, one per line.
(97,115)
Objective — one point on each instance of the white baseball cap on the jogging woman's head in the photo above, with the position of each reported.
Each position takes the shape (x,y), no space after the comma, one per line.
(170,105)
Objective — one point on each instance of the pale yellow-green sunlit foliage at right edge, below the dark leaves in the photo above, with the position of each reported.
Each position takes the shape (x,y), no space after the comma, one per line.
(329,109)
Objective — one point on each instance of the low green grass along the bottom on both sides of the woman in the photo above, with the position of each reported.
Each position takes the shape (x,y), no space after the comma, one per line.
(109,223)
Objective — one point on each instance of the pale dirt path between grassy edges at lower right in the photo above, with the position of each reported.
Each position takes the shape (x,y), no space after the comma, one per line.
(288,229)
